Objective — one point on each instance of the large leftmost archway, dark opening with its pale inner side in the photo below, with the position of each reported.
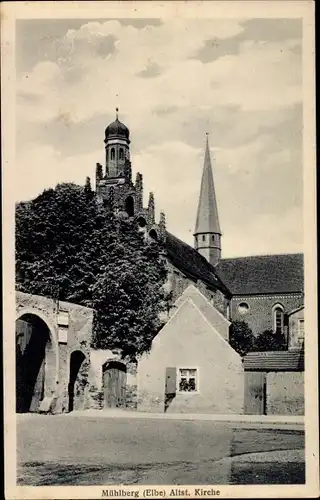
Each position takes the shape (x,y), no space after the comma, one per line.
(36,362)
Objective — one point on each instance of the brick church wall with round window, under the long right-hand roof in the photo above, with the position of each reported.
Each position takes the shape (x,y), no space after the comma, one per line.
(259,315)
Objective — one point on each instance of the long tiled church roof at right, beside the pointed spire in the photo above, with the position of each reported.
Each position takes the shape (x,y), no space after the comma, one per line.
(262,274)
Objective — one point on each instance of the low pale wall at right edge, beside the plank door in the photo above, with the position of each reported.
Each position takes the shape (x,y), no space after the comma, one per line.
(285,393)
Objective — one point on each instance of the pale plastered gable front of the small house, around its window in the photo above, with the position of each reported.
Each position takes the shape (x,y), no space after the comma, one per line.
(188,340)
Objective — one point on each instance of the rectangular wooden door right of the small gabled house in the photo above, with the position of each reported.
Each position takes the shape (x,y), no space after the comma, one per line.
(255,397)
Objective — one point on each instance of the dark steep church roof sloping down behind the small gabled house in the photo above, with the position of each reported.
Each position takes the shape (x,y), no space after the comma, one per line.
(192,264)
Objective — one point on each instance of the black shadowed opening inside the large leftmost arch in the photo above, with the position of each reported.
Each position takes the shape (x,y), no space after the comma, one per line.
(32,339)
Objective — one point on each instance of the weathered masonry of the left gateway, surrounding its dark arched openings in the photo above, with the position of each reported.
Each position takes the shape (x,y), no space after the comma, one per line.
(67,335)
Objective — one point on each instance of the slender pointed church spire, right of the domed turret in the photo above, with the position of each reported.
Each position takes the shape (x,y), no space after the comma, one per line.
(207,234)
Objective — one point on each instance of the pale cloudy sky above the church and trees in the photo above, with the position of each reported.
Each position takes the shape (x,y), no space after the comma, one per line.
(173,80)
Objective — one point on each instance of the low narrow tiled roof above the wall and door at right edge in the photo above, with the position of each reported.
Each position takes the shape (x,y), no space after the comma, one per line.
(274,361)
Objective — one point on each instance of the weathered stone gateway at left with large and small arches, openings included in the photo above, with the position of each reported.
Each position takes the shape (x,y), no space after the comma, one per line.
(52,354)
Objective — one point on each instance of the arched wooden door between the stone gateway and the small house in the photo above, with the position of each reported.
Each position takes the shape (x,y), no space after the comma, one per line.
(114,384)
